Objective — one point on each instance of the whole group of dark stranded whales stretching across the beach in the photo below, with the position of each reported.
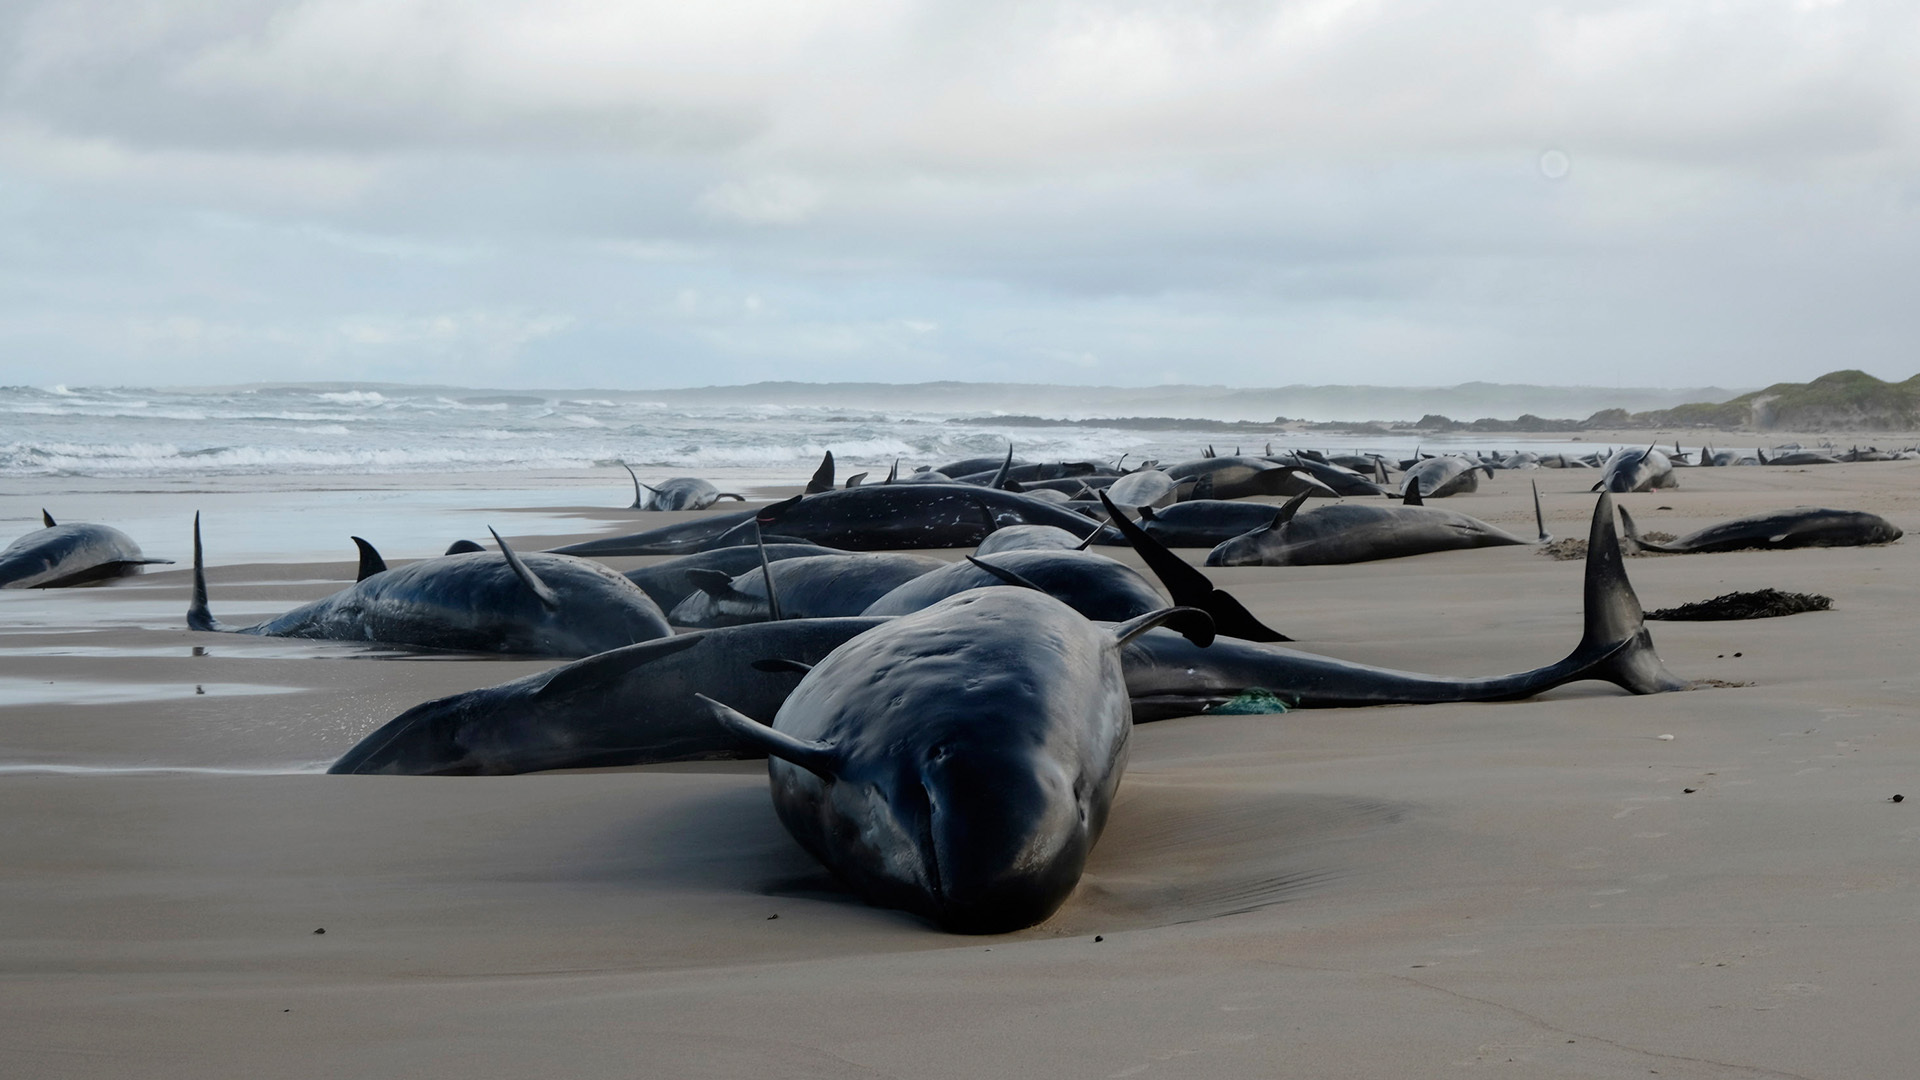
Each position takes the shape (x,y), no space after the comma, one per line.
(946,737)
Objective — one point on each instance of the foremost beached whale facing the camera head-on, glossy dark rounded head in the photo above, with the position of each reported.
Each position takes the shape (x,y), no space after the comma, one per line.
(959,762)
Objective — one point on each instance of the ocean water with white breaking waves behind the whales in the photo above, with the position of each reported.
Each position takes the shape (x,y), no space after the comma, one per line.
(387,431)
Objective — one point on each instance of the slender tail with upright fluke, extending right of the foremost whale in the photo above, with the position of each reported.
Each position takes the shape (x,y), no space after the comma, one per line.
(1168,677)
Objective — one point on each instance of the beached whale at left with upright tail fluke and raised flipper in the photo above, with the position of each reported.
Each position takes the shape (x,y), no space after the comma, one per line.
(475,602)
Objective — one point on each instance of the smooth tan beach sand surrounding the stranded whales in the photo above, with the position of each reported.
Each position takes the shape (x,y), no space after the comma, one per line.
(1516,891)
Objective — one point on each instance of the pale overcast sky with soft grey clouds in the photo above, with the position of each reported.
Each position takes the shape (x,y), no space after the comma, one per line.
(594,193)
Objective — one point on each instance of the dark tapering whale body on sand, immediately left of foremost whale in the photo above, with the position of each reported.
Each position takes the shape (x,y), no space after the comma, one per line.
(631,706)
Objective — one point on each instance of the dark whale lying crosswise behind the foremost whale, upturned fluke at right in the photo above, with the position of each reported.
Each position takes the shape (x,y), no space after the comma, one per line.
(635,706)
